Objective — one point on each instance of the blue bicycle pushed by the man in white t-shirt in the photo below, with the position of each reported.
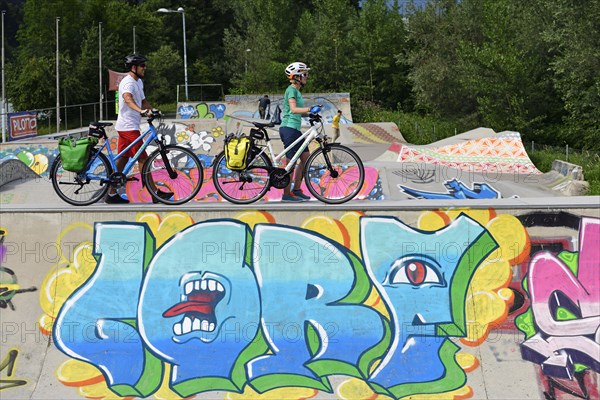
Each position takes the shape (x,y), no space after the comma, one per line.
(169,168)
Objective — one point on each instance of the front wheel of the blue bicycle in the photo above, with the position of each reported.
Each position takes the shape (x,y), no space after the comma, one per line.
(185,182)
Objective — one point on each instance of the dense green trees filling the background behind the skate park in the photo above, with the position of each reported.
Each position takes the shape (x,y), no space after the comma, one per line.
(528,66)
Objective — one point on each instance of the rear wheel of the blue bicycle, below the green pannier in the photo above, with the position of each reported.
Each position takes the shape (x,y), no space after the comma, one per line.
(82,188)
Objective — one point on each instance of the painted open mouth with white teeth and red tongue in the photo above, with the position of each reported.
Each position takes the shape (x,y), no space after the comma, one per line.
(197,306)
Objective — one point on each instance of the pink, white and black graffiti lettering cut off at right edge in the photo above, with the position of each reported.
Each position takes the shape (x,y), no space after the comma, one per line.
(563,321)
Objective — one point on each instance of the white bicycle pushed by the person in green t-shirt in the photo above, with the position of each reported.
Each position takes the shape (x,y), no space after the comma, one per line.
(333,172)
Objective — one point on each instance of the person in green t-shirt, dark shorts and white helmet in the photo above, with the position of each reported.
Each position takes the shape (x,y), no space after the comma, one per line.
(291,121)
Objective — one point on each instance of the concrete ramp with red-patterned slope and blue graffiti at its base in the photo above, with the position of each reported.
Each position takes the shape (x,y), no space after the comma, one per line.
(473,165)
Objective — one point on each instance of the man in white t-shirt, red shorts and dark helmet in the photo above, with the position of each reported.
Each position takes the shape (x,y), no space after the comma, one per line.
(132,105)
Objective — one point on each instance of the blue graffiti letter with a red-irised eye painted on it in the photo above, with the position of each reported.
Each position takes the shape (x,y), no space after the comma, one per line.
(407,272)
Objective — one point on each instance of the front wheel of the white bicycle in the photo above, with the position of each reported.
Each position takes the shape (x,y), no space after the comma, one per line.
(337,184)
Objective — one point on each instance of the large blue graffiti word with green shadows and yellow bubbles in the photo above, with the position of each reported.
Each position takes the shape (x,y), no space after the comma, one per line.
(201,304)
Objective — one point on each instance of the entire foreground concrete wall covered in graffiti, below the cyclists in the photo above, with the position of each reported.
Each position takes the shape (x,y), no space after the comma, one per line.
(346,304)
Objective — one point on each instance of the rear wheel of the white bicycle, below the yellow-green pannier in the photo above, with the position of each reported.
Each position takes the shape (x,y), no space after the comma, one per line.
(242,187)
